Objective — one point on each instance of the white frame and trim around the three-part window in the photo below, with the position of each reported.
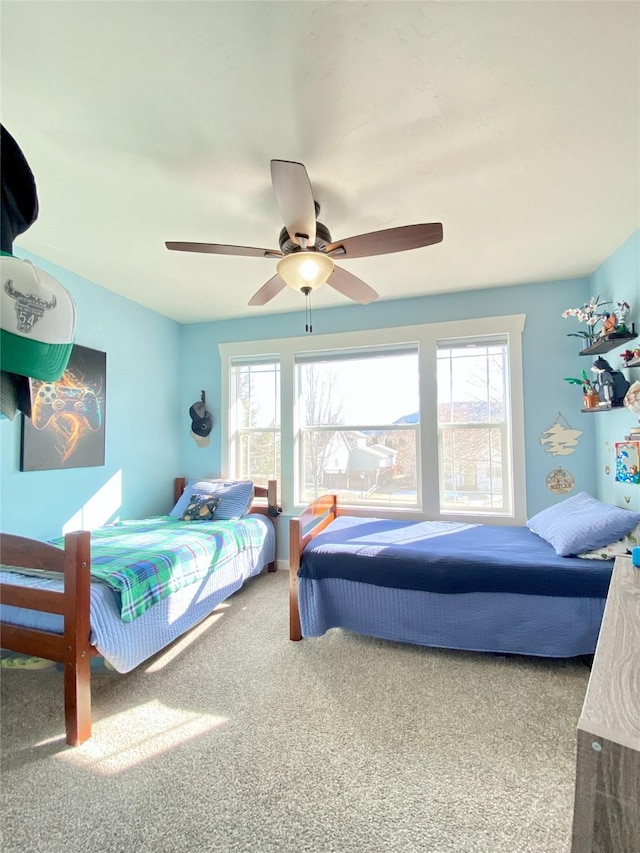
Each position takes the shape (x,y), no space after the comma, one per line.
(426,336)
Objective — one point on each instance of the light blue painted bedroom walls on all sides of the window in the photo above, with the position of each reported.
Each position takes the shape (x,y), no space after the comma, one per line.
(157,368)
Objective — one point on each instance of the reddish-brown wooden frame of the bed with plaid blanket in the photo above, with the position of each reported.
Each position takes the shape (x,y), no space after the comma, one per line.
(72,648)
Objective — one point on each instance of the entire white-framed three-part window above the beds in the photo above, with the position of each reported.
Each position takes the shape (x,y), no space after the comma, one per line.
(423,419)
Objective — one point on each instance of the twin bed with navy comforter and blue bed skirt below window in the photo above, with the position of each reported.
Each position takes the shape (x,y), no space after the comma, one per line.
(457,586)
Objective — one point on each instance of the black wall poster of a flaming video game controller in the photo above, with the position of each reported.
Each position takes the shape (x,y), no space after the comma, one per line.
(67,424)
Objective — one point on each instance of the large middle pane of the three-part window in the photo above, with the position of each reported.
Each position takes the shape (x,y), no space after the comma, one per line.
(358,430)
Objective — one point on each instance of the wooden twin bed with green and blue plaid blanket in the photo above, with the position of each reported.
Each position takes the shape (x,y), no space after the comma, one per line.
(126,591)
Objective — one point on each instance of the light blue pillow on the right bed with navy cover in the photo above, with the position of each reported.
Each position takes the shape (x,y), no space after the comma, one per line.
(582,523)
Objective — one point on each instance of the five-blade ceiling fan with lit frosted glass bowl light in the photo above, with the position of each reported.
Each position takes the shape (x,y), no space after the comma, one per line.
(307,251)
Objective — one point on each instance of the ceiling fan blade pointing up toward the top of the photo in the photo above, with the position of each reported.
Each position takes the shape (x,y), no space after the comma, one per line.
(294,195)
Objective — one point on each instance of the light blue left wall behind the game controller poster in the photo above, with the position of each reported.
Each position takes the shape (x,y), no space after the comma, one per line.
(143,423)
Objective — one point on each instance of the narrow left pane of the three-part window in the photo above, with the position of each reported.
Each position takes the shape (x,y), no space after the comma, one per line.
(254,405)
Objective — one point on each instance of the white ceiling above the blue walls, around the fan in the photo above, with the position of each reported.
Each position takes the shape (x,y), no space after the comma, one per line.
(515,124)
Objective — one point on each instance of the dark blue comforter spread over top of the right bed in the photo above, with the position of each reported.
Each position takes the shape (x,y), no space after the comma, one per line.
(451,558)
